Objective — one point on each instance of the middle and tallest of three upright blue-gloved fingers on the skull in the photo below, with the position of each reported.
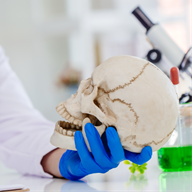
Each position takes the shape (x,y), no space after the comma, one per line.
(96,145)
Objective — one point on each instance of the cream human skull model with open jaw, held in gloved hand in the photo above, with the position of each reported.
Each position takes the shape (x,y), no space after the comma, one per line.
(128,93)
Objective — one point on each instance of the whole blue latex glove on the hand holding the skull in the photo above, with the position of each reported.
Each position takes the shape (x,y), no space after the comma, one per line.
(106,153)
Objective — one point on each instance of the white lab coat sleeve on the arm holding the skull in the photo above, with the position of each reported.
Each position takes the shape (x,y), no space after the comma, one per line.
(24,132)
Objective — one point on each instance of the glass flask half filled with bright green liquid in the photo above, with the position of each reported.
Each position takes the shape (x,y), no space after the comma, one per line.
(176,154)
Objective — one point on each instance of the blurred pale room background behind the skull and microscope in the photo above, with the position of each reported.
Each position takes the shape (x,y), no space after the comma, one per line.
(53,44)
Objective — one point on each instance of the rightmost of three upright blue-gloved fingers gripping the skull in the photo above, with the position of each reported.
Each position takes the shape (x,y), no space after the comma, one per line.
(114,144)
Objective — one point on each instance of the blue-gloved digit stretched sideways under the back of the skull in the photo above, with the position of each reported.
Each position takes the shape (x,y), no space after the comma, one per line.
(139,158)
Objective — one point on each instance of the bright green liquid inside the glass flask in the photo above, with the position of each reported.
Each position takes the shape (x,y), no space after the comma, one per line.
(175,158)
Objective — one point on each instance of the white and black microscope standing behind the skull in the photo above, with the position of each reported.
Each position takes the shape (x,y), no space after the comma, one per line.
(165,53)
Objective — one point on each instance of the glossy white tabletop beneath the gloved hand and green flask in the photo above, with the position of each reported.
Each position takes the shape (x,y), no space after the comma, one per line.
(116,180)
